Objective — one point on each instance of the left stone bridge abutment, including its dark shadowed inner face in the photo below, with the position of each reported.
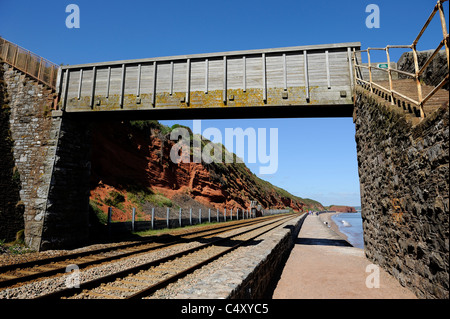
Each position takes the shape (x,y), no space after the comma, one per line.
(51,155)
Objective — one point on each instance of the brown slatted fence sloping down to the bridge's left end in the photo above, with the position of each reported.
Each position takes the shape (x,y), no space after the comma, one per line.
(30,63)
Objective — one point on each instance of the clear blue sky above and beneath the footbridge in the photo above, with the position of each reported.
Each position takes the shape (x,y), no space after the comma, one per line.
(317,157)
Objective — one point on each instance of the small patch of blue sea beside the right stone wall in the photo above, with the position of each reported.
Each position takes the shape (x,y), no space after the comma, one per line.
(350,224)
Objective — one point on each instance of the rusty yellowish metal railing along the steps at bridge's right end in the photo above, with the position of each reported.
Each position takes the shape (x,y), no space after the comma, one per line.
(418,70)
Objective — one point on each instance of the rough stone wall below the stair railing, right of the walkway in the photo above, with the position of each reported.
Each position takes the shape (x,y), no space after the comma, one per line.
(404,172)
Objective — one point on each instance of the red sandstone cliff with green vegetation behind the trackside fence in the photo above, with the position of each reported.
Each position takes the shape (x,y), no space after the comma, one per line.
(131,167)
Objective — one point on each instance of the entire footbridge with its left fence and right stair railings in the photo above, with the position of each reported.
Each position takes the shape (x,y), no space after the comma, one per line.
(302,81)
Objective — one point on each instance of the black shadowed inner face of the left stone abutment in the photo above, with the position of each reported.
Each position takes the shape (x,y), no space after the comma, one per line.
(65,223)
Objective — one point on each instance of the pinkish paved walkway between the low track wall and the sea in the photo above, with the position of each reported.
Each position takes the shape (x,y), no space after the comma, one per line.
(323,265)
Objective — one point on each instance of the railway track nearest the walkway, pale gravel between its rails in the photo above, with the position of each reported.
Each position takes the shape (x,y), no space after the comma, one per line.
(143,280)
